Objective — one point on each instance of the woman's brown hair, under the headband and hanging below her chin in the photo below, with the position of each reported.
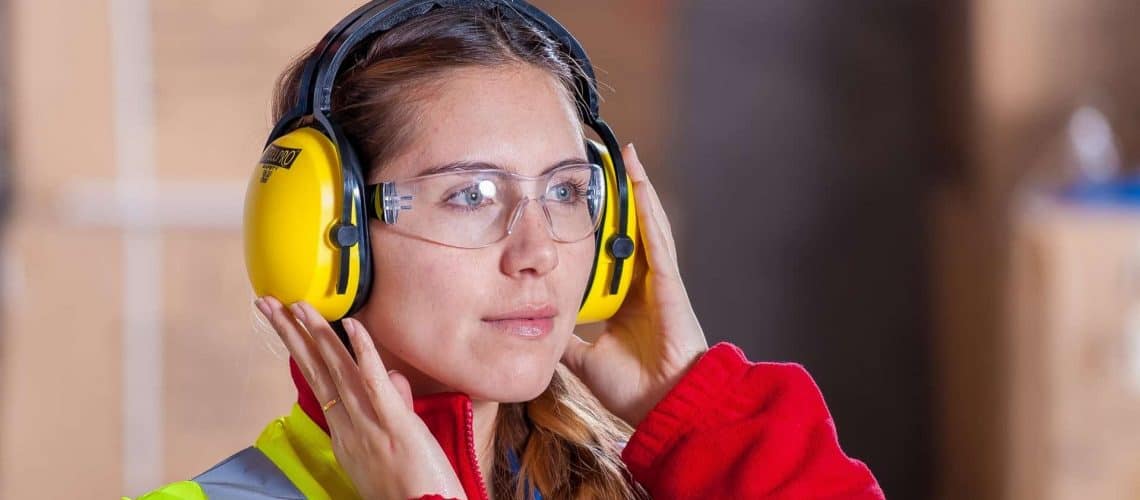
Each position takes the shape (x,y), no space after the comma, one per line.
(567,444)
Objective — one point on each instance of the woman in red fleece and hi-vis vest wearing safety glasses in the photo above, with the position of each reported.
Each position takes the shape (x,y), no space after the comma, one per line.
(466,379)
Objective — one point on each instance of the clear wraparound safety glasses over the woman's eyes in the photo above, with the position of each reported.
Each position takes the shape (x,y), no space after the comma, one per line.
(477,209)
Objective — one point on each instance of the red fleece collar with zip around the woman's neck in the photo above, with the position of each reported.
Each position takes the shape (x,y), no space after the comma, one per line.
(449,416)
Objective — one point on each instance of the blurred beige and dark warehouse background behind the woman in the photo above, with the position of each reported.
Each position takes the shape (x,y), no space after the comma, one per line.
(931,206)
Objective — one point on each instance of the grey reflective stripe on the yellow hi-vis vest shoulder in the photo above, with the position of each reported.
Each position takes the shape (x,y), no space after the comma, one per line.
(248,476)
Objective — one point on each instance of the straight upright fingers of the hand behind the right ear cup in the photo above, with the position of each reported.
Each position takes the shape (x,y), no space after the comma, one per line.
(657,235)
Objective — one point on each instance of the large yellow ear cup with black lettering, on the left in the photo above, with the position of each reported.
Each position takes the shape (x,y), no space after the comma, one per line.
(294,202)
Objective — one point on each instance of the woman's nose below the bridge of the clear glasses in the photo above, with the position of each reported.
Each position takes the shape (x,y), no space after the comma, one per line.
(531,249)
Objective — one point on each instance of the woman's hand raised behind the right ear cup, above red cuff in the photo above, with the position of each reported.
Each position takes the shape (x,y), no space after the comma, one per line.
(655,338)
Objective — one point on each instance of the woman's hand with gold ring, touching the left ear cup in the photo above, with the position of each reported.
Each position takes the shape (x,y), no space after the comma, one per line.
(379,440)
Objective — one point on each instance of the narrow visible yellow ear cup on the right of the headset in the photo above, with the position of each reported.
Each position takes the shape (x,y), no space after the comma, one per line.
(600,304)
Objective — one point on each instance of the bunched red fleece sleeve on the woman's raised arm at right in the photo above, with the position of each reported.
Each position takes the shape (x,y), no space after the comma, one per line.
(734,429)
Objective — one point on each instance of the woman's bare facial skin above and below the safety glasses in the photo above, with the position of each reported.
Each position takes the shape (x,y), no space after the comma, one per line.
(431,306)
